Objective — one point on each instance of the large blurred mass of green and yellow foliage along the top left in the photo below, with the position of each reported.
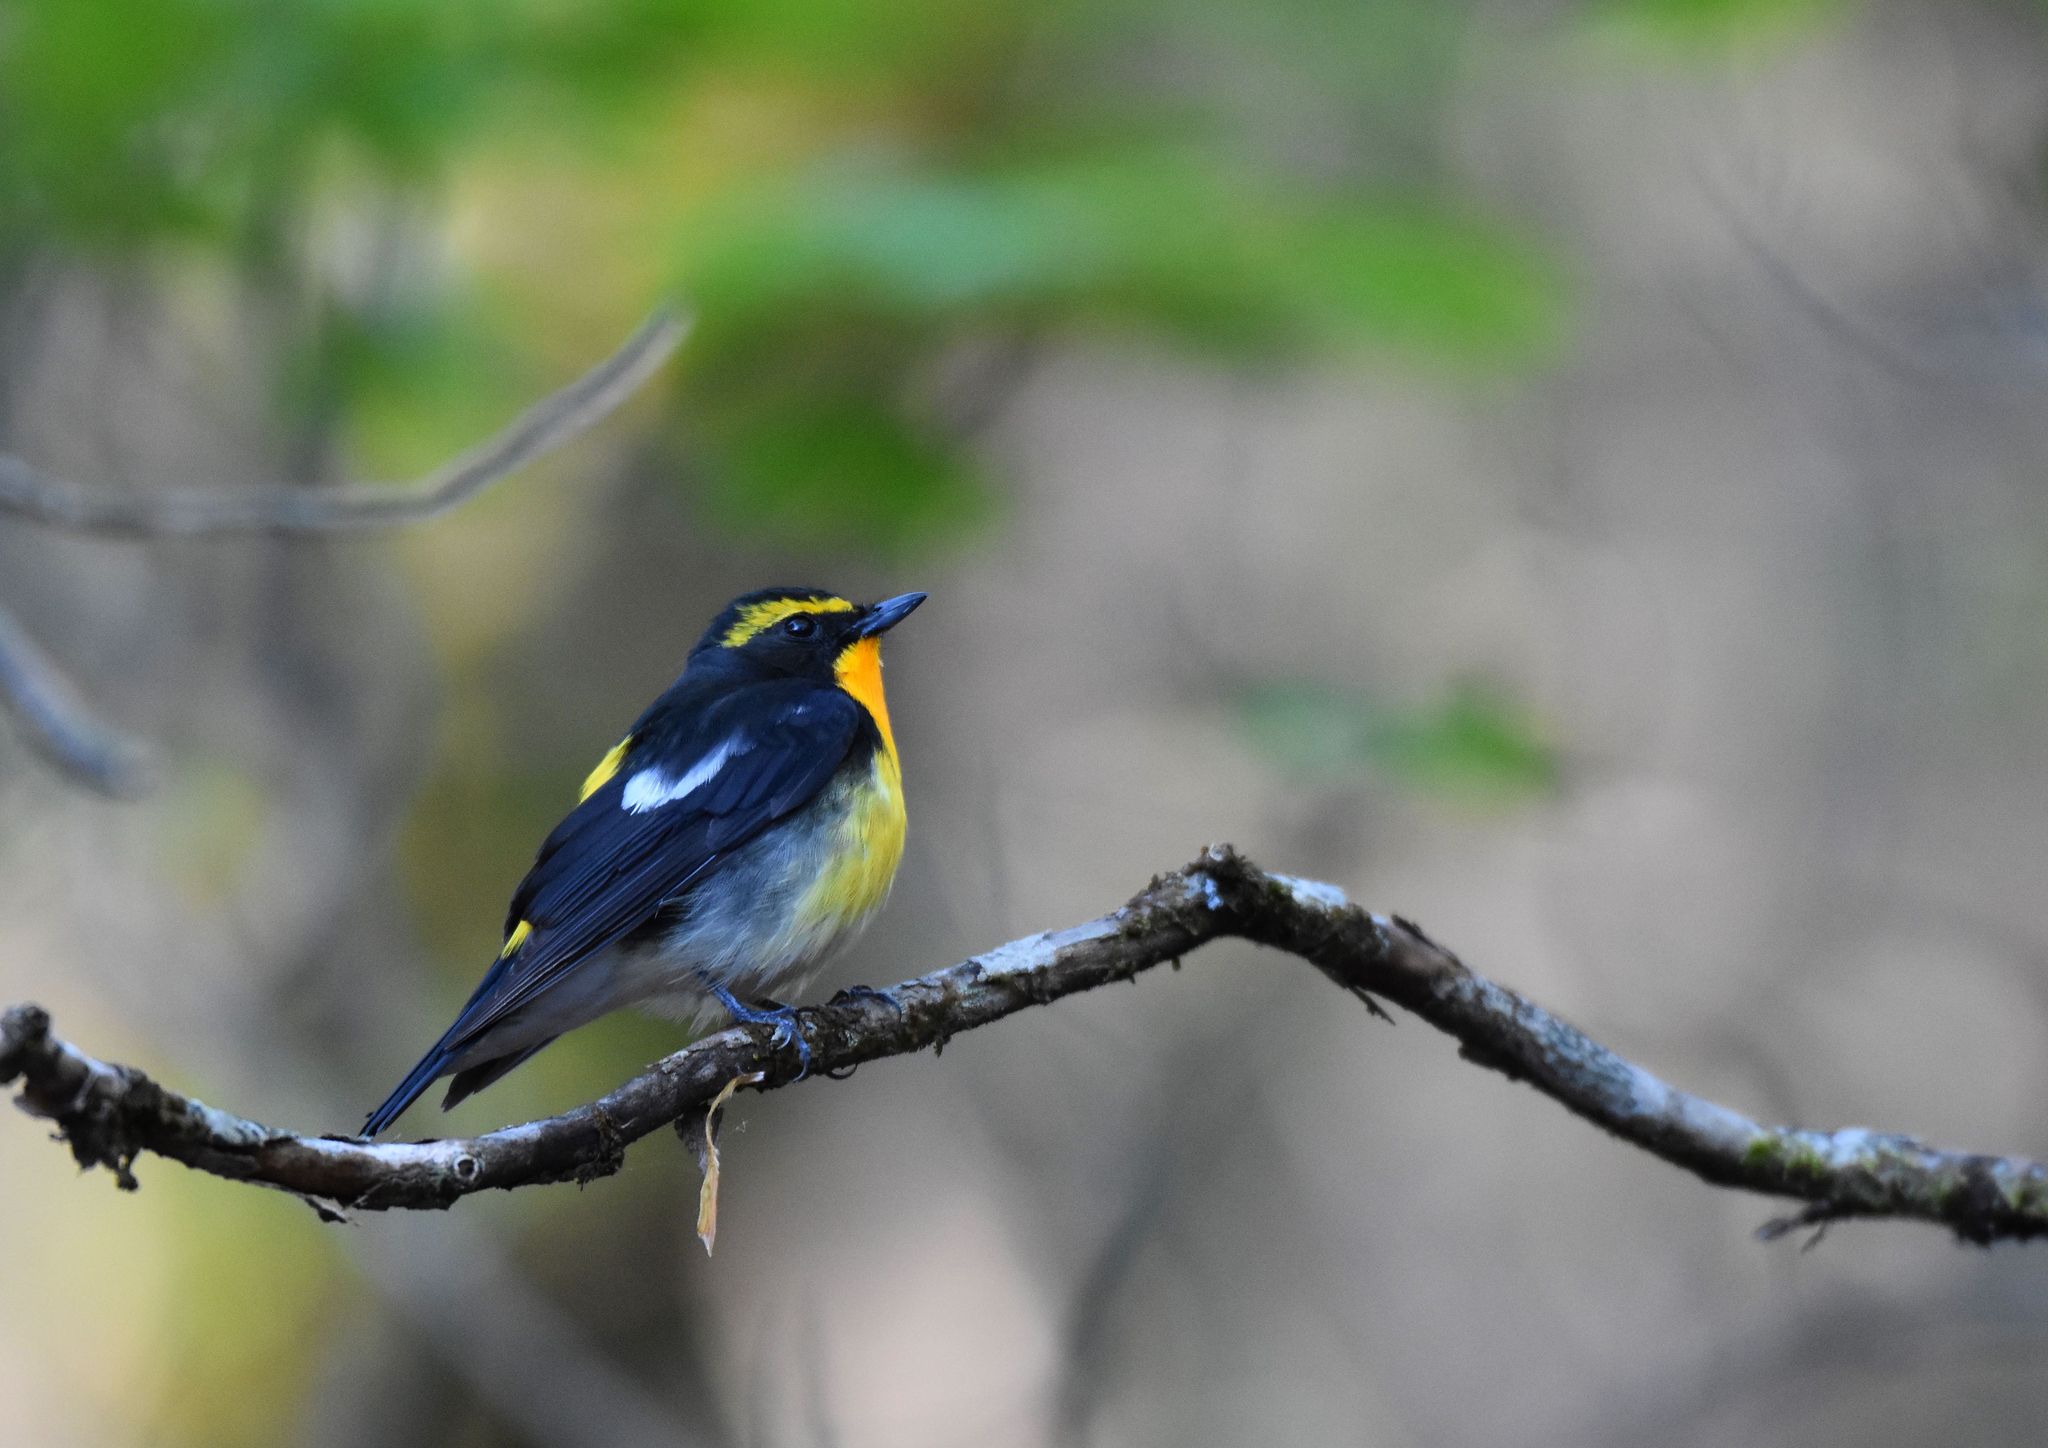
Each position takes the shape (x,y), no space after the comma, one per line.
(843,194)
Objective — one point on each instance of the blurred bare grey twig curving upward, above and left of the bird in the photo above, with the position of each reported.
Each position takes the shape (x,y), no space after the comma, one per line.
(165,513)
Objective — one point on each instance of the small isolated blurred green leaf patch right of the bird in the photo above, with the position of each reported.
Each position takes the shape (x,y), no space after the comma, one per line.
(1476,747)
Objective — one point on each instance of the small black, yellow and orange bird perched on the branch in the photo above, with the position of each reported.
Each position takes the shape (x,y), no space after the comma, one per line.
(751,822)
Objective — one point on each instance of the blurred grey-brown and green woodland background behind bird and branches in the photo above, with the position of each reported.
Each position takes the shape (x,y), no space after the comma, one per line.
(1566,472)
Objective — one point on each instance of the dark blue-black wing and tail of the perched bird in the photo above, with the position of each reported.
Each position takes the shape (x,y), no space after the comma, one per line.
(609,869)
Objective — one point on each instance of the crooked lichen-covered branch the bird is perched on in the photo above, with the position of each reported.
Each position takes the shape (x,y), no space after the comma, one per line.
(112,1115)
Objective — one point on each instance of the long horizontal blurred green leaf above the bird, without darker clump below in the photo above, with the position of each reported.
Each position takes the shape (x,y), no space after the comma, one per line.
(1172,243)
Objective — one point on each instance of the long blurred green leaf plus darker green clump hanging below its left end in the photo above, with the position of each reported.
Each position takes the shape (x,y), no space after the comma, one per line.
(826,286)
